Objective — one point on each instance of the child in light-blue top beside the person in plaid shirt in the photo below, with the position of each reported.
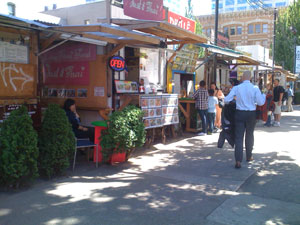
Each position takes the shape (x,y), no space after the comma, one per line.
(211,114)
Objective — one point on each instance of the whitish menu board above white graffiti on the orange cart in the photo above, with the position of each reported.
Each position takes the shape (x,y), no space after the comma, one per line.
(13,53)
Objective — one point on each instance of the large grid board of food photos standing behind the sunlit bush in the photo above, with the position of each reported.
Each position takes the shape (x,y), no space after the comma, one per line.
(159,110)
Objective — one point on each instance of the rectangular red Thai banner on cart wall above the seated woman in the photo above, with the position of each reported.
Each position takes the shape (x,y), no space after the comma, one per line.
(67,73)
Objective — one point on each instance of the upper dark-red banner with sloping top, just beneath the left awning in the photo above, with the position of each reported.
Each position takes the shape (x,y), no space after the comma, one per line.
(71,52)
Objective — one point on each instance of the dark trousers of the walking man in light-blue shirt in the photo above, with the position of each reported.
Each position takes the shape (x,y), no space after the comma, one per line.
(244,122)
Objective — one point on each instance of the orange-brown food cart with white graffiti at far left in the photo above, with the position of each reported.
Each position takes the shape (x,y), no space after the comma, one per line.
(19,66)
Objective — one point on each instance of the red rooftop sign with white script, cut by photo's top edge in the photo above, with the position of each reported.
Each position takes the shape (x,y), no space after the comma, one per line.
(144,9)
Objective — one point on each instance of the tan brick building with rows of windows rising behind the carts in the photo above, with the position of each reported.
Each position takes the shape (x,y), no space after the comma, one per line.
(253,27)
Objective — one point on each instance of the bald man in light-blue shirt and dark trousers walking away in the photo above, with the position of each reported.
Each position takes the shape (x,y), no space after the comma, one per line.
(247,96)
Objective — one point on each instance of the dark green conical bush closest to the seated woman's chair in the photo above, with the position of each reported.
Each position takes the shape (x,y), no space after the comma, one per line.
(56,142)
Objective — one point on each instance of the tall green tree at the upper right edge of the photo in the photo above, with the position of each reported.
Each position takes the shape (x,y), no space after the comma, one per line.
(287,32)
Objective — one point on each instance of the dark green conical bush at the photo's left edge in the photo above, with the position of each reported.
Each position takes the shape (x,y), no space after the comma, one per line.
(18,150)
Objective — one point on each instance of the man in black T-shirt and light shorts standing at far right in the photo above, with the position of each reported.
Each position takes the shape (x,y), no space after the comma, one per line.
(277,98)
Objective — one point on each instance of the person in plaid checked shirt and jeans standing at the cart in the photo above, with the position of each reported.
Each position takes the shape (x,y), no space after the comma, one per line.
(201,97)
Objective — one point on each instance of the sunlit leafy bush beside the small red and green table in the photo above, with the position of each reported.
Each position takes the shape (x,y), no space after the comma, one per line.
(125,132)
